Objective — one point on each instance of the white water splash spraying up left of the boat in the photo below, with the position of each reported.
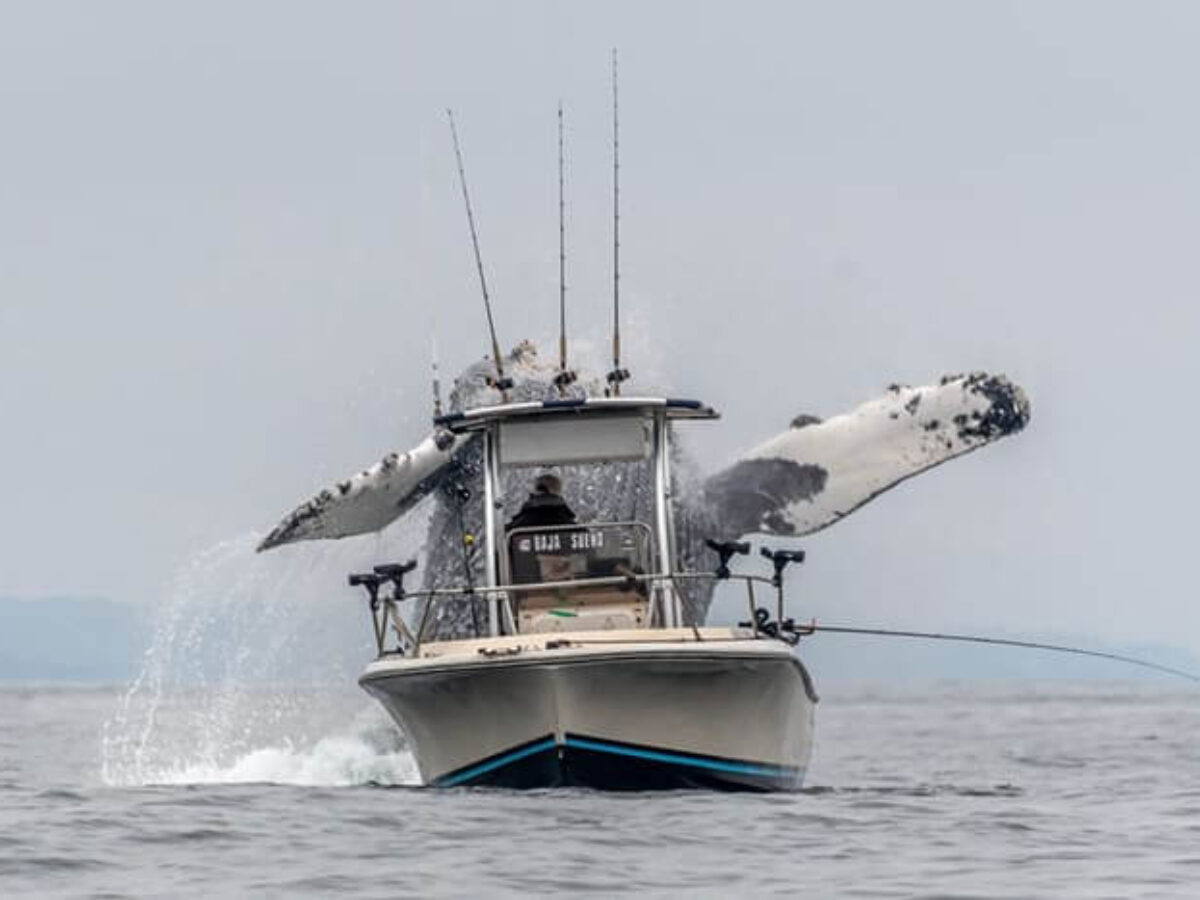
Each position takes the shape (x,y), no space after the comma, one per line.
(251,671)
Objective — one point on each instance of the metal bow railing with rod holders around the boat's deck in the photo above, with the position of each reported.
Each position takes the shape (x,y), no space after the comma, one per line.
(387,617)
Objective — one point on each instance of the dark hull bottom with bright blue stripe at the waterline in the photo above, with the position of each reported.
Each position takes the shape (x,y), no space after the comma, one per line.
(581,761)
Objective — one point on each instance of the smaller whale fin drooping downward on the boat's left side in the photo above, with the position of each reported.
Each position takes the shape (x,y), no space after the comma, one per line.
(371,500)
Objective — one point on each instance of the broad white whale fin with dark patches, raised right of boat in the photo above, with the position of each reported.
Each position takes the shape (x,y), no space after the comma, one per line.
(819,472)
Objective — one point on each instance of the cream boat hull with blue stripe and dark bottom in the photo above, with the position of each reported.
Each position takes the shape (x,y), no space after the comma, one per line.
(717,716)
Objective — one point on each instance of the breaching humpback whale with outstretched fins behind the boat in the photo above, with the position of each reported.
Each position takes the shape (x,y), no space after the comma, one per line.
(800,482)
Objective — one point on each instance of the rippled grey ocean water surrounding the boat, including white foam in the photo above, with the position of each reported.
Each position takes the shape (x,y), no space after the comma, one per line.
(971,790)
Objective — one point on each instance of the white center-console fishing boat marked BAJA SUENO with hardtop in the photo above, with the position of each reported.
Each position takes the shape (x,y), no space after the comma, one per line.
(587,674)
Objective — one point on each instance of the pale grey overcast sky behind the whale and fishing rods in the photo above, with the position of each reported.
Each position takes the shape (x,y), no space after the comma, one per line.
(227,232)
